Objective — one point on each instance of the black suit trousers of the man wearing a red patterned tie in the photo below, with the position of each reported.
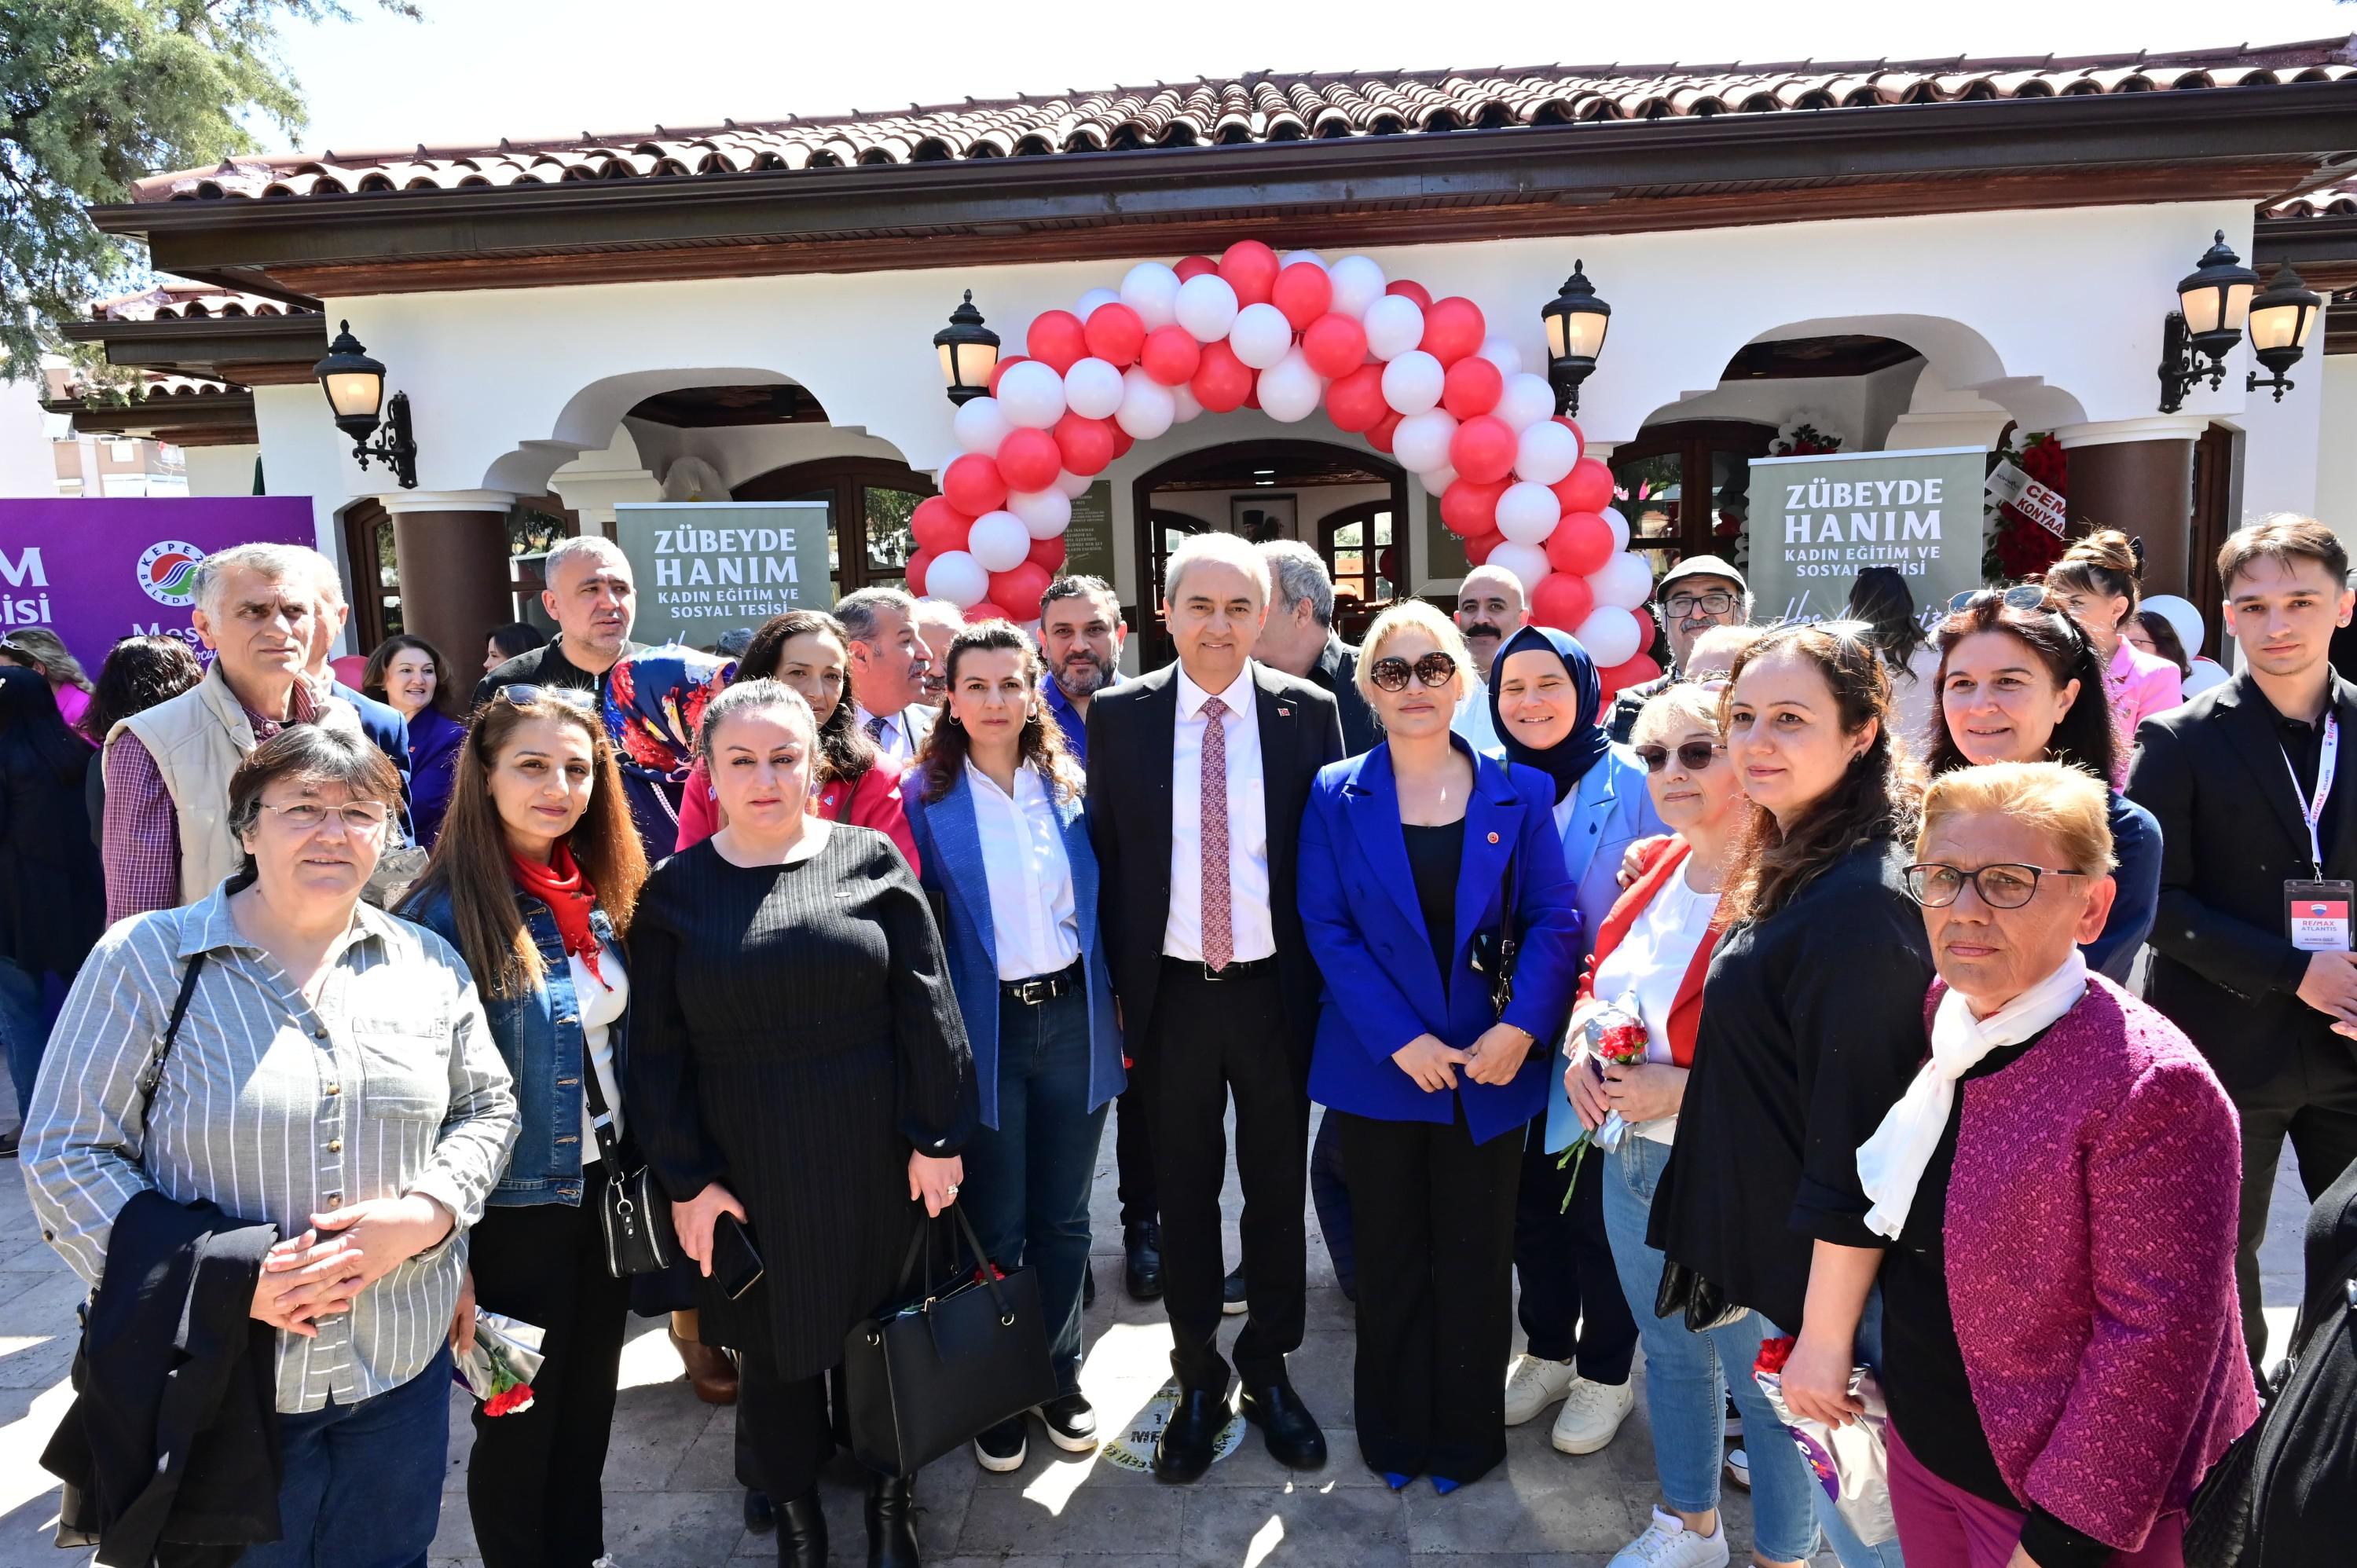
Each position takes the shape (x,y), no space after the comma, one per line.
(1220,1039)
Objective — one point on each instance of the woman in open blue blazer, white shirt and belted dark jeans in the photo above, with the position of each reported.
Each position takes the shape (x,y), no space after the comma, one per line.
(993,805)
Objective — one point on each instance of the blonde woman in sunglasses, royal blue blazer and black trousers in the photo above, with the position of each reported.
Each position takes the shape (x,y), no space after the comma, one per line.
(1408,862)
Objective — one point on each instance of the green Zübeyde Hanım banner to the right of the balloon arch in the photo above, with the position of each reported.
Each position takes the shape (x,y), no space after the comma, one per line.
(1818,522)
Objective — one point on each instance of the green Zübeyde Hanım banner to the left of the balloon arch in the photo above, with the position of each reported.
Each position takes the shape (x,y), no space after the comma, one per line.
(711,567)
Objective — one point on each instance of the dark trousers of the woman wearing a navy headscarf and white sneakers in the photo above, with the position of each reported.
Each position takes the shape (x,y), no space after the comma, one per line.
(1573,1305)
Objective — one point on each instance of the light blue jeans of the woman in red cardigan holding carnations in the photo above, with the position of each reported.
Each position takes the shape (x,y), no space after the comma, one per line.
(1689,1378)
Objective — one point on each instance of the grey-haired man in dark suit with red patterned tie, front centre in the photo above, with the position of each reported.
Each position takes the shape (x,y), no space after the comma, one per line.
(1210,767)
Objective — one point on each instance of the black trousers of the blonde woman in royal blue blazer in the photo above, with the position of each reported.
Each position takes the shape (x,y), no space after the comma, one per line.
(1434,1218)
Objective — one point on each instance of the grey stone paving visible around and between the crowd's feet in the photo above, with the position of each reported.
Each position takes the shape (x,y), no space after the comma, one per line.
(671,1498)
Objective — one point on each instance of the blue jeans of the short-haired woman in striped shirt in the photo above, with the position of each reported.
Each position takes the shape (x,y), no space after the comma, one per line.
(364,1482)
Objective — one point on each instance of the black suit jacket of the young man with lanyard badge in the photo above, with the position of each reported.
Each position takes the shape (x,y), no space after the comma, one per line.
(2224,970)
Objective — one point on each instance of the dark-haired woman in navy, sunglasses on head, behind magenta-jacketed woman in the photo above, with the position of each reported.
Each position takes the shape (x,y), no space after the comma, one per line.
(2021,683)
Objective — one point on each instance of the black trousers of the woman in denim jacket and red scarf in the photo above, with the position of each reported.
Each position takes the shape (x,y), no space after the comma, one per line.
(534,1477)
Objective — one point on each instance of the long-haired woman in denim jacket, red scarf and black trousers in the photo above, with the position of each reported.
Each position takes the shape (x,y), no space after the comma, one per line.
(534,881)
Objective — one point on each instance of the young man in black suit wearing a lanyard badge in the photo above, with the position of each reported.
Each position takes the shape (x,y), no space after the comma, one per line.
(2252,966)
